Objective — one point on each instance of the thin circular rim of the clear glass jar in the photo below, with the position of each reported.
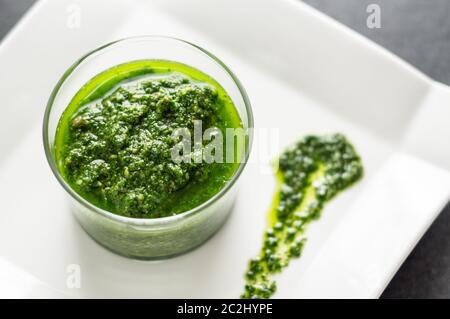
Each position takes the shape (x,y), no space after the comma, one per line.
(146,221)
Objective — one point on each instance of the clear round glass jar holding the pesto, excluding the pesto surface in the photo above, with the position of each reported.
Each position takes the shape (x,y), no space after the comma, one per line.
(138,237)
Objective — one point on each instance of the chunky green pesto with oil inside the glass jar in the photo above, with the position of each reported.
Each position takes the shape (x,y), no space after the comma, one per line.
(114,140)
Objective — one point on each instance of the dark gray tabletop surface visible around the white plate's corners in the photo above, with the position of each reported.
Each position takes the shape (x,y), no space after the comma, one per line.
(419,32)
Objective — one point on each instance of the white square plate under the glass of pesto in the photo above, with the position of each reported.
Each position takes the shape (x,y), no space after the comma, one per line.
(304,73)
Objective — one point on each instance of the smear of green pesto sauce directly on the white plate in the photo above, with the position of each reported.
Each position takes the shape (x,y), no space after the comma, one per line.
(310,173)
